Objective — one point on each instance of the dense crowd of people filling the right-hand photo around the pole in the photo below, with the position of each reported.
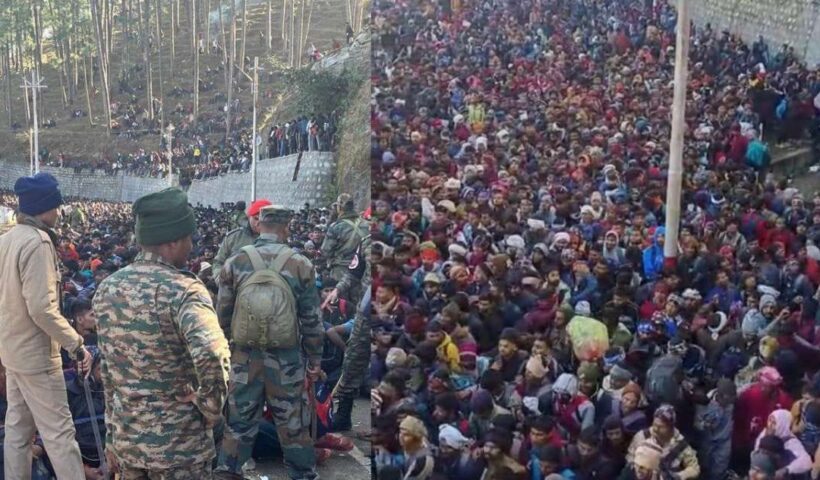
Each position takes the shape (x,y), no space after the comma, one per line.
(525,321)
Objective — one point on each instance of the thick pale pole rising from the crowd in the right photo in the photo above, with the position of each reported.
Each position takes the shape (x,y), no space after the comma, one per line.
(675,174)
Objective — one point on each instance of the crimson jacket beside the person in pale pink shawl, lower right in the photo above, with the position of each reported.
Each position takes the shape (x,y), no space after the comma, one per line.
(752,411)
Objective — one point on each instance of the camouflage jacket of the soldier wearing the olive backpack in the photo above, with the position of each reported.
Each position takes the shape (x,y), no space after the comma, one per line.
(299,273)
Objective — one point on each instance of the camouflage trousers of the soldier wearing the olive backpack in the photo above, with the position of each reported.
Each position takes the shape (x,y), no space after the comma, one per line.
(278,378)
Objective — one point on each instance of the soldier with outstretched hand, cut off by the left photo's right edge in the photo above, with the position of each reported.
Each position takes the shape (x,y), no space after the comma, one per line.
(357,354)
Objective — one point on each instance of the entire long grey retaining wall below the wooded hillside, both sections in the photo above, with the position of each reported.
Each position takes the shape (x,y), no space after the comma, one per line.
(314,183)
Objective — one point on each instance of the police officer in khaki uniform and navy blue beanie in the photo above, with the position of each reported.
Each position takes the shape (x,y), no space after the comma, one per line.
(33,330)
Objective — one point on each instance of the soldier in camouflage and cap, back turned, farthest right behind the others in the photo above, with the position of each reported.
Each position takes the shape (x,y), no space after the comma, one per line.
(342,240)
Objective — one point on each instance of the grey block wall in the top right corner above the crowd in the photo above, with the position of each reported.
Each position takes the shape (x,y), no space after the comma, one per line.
(795,22)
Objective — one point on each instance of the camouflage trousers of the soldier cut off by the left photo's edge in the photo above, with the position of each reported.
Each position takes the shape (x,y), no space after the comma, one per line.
(357,355)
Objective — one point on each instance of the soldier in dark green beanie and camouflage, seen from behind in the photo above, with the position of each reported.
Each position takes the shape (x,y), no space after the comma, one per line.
(166,361)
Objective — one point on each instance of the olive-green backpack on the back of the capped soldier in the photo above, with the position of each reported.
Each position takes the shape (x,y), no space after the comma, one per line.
(264,315)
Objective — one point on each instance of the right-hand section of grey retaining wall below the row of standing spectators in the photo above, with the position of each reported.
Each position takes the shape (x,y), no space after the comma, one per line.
(313,185)
